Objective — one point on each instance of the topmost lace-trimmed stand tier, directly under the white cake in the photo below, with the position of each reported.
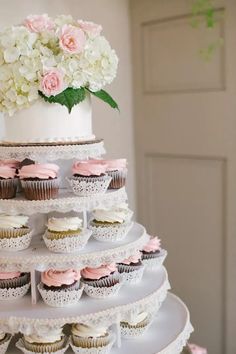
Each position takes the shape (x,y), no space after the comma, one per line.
(53,151)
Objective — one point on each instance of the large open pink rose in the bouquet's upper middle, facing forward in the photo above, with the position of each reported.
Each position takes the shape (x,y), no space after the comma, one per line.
(72,39)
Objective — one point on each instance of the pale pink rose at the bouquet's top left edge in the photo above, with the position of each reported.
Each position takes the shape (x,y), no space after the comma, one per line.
(39,23)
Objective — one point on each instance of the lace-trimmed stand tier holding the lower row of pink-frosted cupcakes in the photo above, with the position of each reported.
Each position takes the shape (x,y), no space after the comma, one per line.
(148,295)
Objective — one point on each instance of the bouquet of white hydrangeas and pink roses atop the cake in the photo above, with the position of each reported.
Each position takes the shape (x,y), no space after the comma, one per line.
(59,60)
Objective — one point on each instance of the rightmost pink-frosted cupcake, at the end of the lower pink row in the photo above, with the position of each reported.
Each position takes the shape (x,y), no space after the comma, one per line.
(152,254)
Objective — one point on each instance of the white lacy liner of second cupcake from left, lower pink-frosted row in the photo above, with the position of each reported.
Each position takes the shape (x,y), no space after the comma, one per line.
(60,298)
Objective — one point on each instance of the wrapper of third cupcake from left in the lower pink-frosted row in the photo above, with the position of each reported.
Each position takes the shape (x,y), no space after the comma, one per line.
(103,288)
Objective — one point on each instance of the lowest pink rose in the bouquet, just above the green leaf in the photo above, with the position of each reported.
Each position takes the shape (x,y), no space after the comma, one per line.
(52,82)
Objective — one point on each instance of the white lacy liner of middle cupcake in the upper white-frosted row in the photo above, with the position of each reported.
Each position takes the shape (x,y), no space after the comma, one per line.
(68,244)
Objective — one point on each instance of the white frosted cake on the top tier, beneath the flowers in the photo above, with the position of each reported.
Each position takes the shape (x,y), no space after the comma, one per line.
(45,122)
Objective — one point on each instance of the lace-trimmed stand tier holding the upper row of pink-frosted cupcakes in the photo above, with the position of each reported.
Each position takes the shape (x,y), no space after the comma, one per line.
(66,201)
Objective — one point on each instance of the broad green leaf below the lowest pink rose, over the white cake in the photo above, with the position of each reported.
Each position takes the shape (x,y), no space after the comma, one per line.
(69,97)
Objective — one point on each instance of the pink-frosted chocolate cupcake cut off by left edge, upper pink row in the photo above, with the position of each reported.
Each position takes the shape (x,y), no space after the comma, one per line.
(8,182)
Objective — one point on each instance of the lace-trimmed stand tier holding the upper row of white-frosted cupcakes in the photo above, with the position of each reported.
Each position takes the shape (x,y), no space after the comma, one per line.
(38,257)
